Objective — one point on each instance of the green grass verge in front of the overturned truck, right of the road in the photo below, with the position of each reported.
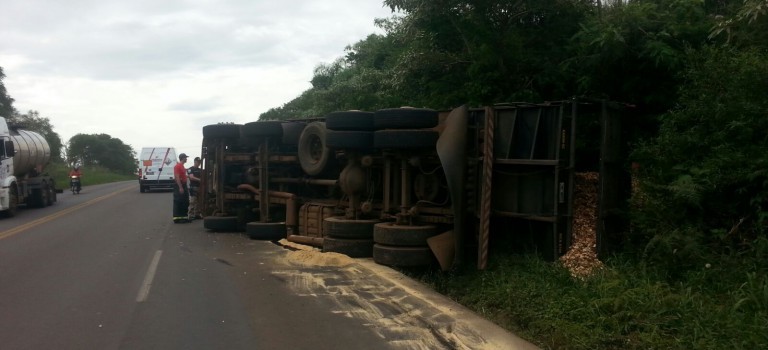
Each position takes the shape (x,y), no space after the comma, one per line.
(628,305)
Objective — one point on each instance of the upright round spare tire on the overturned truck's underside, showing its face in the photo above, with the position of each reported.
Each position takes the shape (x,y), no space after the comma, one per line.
(314,153)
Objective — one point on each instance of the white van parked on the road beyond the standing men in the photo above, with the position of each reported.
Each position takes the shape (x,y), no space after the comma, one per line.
(156,168)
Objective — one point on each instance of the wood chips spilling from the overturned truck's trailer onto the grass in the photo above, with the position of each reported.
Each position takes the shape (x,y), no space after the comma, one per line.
(581,260)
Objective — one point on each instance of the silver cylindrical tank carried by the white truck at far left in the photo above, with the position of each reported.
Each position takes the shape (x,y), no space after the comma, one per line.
(32,150)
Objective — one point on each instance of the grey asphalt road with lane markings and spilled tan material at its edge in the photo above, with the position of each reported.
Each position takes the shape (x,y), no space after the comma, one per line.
(107,269)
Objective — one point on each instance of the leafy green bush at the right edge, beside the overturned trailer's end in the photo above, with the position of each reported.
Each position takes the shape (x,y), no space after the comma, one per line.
(703,182)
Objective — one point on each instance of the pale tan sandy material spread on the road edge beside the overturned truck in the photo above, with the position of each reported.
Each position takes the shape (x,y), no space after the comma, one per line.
(402,311)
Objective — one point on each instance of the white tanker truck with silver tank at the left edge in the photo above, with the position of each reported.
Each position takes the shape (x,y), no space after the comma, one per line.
(23,154)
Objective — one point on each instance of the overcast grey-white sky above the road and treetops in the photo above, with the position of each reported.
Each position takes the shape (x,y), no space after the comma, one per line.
(154,72)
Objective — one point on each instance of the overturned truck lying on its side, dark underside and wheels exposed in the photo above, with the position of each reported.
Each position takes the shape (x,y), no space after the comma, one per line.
(406,186)
